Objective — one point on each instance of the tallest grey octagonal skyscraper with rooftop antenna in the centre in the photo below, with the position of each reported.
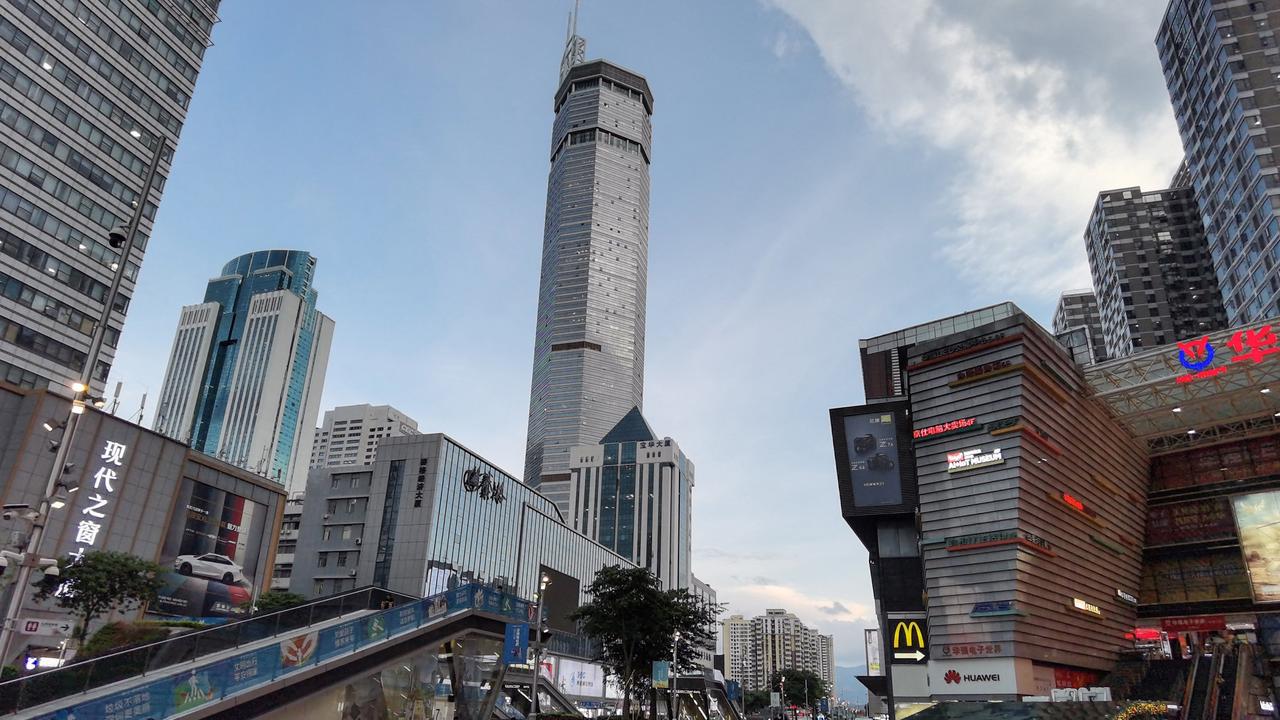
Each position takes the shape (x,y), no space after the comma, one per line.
(589,348)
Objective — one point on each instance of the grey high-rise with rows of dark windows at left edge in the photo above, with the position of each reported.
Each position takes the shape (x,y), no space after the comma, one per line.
(86,92)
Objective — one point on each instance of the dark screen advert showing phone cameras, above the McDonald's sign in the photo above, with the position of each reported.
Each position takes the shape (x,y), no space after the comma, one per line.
(874,461)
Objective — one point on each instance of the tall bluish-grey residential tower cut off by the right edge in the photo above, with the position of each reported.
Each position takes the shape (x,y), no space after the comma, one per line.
(1220,67)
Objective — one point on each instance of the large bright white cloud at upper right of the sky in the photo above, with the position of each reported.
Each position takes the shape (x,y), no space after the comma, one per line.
(1035,138)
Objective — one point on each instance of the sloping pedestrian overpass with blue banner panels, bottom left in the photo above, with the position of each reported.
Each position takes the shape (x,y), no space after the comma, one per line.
(364,654)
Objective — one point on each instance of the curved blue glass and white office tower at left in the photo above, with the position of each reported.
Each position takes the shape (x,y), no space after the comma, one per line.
(248,367)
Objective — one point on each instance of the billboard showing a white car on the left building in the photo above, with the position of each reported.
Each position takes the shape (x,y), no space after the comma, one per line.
(212,553)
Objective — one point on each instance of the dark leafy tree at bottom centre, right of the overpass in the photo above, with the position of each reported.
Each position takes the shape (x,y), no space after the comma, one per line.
(636,623)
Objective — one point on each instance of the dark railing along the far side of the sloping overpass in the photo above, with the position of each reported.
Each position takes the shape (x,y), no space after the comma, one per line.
(77,678)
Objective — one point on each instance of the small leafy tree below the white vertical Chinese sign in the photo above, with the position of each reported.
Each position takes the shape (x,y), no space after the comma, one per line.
(104,581)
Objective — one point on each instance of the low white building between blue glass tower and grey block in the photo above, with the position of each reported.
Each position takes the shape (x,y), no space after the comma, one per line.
(350,434)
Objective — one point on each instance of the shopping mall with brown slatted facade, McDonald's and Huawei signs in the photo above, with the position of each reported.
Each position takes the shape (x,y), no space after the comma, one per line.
(1034,526)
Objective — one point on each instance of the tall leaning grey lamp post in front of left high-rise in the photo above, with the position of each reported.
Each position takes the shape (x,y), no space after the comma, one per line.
(121,239)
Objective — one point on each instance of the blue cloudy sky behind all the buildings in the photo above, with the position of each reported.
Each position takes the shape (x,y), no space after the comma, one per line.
(824,171)
